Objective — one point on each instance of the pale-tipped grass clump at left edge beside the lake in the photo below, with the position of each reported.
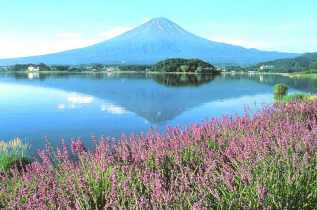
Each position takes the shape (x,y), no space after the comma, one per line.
(12,152)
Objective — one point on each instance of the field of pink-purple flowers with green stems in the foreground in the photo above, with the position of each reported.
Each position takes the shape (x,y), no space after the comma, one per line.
(262,160)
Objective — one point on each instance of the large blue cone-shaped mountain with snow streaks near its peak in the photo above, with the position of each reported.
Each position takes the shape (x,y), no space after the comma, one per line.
(153,41)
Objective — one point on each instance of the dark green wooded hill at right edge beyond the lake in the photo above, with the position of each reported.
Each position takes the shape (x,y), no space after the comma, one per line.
(295,64)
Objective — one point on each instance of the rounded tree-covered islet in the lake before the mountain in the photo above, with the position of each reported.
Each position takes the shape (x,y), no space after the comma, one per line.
(184,65)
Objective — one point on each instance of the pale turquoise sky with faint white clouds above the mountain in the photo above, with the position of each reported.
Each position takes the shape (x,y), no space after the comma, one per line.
(35,27)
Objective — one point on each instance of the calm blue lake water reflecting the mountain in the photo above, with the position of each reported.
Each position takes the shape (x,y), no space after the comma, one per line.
(77,105)
